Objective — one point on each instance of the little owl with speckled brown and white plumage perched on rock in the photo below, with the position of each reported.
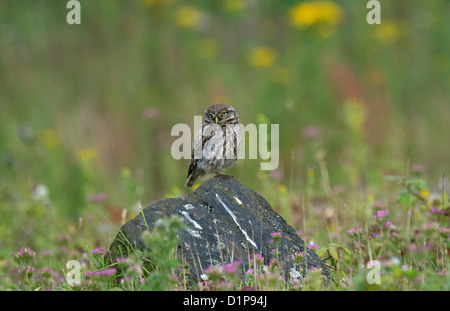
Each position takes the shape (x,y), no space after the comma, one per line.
(216,145)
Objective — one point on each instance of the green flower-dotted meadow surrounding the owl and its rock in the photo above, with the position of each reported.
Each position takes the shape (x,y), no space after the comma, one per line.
(86,112)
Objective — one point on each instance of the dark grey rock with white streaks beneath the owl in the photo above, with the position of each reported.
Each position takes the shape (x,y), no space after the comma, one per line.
(226,221)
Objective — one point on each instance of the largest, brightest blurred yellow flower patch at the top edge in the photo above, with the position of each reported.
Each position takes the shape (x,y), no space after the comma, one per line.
(310,13)
